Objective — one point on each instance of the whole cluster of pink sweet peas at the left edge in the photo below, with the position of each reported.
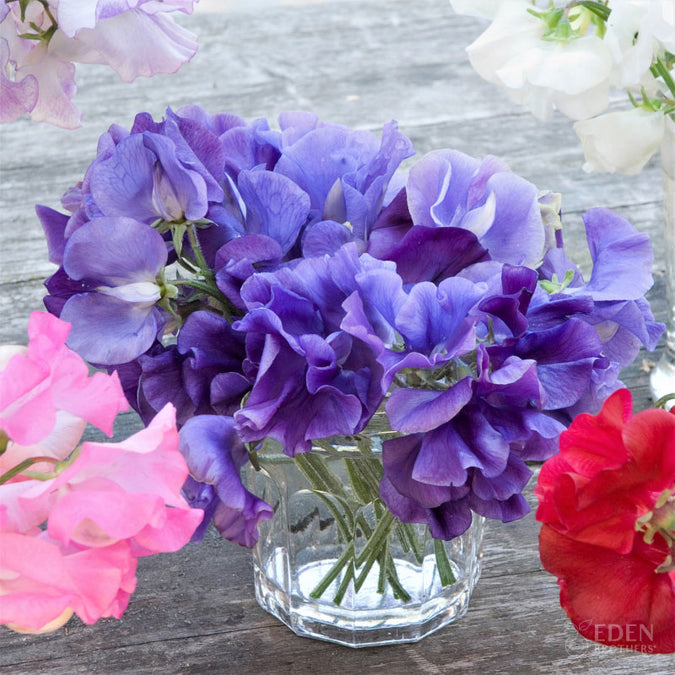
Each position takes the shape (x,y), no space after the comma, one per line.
(69,538)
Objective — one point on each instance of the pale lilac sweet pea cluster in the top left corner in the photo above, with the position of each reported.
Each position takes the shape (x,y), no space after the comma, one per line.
(134,37)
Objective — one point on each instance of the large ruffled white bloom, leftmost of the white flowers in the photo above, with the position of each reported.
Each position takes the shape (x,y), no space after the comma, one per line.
(572,75)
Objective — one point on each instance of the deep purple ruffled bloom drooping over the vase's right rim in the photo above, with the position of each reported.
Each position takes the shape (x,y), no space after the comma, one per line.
(467,445)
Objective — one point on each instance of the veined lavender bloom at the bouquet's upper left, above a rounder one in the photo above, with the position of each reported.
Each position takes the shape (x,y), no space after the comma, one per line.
(169,170)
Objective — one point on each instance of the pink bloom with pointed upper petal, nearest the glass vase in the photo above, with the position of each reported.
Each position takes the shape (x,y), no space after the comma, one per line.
(143,477)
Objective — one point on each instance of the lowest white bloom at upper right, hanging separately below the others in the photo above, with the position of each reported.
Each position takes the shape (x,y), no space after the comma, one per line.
(622,141)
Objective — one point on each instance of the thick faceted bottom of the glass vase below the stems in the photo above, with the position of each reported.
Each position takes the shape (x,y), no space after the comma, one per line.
(368,618)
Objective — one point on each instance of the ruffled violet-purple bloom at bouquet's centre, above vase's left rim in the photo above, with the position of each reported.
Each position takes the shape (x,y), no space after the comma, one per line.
(312,379)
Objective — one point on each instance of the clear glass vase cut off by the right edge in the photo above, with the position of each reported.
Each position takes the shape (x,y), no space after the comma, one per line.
(662,380)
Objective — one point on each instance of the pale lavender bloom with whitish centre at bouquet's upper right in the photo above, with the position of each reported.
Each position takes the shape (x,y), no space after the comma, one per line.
(449,189)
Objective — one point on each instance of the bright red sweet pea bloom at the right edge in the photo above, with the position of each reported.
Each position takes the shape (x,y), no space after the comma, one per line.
(607,504)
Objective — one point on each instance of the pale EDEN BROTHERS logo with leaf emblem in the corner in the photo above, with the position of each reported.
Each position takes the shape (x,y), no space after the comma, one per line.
(633,637)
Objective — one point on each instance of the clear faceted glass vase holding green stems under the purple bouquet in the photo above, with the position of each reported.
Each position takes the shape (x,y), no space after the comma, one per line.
(334,564)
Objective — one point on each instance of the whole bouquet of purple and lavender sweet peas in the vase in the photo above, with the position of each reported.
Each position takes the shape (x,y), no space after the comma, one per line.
(283,285)
